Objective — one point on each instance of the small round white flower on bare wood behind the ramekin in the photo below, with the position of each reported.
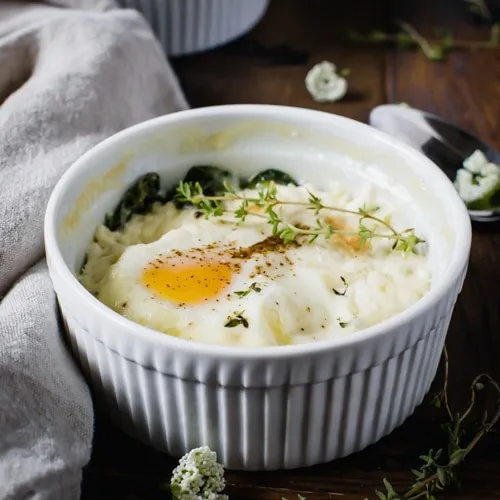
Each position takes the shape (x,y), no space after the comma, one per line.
(325,84)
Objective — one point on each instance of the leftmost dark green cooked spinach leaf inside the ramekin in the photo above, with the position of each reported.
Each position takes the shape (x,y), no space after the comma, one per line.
(138,199)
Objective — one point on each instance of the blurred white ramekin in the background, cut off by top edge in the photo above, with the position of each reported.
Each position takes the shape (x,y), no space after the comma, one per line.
(188,26)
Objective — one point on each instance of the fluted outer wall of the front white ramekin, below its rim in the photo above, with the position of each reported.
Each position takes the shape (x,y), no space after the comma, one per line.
(282,425)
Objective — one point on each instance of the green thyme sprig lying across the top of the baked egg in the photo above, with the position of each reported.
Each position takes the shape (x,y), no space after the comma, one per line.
(266,199)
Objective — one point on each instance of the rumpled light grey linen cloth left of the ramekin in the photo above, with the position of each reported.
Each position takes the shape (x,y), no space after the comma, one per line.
(73,72)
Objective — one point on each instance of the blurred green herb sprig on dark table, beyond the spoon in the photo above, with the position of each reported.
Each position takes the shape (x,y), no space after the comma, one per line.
(435,49)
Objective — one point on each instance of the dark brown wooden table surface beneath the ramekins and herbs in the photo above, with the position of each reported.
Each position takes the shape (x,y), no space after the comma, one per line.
(268,66)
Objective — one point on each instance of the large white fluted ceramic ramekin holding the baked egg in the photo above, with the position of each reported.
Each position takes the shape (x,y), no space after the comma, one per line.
(259,408)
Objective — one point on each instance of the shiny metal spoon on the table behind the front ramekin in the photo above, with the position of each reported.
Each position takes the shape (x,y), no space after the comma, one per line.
(444,143)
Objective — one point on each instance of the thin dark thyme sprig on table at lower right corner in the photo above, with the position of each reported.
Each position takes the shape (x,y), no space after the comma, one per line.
(438,468)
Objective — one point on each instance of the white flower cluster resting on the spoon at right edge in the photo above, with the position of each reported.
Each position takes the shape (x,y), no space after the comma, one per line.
(478,181)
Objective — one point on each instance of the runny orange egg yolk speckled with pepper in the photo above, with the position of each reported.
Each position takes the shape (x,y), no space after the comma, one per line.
(187,281)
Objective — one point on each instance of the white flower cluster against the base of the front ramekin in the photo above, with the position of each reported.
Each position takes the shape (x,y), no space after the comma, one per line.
(198,476)
